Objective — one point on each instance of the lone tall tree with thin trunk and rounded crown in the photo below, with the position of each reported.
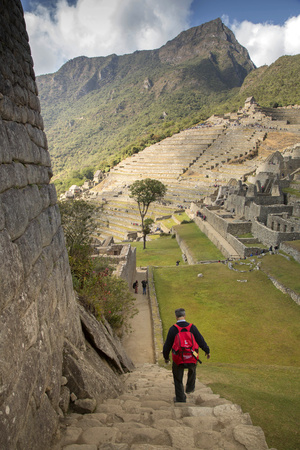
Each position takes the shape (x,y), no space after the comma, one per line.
(145,192)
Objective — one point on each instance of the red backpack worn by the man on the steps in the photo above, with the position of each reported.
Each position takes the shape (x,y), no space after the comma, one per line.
(185,347)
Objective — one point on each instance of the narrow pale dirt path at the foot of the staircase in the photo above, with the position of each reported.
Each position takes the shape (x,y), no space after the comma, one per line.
(139,343)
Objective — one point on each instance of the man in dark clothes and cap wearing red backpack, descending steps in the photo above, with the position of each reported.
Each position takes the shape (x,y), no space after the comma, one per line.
(181,332)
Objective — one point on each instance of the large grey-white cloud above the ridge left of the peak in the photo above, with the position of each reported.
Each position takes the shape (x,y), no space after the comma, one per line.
(101,27)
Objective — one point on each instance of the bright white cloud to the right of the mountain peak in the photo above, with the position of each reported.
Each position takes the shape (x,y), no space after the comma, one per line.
(267,42)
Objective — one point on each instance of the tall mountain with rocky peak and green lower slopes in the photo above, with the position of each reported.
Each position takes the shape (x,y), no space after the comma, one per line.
(98,110)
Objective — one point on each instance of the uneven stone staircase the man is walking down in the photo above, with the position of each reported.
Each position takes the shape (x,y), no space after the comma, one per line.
(145,417)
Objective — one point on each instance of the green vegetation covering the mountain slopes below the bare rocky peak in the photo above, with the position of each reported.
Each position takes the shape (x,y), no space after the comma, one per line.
(119,116)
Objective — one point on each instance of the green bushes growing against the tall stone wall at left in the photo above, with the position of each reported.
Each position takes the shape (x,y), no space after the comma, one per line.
(102,293)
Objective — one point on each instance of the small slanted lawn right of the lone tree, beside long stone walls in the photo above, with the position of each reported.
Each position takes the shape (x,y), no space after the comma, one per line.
(200,246)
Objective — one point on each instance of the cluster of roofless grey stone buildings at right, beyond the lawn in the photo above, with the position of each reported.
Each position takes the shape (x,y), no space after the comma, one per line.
(260,209)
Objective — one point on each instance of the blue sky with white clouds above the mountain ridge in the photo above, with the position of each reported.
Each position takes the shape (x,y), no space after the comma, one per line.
(60,30)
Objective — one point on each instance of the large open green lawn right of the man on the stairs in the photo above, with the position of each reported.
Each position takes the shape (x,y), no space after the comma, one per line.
(253,332)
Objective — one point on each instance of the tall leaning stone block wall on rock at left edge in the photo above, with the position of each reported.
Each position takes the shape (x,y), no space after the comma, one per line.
(51,349)
